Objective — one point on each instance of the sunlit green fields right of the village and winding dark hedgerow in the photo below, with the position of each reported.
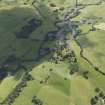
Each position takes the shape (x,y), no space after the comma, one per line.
(93,42)
